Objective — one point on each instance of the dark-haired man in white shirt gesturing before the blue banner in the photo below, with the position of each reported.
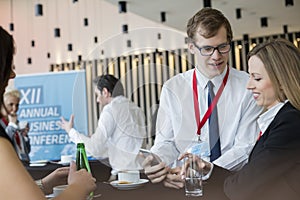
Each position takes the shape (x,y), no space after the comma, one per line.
(121,127)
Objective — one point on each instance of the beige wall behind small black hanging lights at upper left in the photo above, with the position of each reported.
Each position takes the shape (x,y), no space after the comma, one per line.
(105,22)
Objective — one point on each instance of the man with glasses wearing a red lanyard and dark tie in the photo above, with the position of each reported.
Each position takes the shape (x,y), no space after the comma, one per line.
(207,107)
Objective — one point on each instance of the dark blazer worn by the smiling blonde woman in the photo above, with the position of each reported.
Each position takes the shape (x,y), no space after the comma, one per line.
(273,170)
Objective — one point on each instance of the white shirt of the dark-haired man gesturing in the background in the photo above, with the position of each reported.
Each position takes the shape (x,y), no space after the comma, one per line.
(119,135)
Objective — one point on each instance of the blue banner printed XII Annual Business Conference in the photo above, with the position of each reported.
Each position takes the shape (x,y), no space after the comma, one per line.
(45,98)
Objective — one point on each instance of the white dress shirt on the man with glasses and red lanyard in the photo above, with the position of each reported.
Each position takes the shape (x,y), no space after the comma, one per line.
(237,114)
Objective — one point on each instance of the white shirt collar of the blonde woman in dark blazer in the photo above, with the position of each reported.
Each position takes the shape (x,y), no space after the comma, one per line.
(266,118)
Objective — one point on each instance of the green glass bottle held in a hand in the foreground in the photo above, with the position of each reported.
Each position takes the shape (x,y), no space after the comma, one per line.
(82,161)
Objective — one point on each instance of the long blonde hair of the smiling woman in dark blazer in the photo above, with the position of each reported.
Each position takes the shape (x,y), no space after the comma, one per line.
(281,59)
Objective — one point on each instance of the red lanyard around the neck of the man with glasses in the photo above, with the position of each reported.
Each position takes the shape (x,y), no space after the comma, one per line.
(200,123)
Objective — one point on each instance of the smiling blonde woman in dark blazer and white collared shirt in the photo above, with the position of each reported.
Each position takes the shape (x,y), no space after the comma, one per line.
(273,170)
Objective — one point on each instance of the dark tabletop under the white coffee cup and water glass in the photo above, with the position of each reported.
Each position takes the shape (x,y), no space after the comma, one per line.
(212,190)
